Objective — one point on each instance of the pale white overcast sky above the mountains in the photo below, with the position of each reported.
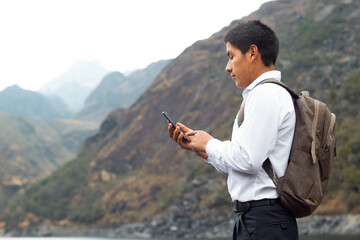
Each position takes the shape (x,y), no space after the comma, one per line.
(41,39)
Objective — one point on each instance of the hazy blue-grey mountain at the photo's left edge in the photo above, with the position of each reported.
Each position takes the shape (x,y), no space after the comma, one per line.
(15,100)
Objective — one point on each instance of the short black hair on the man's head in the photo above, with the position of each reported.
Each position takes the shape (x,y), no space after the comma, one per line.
(255,32)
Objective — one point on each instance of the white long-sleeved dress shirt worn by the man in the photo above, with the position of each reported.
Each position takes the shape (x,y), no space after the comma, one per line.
(266,132)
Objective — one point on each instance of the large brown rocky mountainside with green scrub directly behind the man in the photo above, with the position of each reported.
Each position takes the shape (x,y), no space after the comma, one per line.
(132,178)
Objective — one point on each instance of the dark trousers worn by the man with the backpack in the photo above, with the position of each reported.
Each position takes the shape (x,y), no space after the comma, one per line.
(265,223)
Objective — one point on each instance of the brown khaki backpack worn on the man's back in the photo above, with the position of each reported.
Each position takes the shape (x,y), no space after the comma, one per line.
(312,153)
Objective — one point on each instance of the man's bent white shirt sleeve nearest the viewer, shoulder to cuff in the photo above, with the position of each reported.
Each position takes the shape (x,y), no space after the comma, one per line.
(253,141)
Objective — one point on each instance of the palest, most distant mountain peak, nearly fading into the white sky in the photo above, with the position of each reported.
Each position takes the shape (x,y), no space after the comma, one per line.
(76,84)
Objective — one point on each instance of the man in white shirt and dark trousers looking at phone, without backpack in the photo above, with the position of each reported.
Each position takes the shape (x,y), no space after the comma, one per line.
(266,132)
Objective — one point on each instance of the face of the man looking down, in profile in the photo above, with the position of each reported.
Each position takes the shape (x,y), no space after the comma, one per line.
(239,66)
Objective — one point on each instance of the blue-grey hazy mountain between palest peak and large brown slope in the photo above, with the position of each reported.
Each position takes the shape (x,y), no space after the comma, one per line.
(118,91)
